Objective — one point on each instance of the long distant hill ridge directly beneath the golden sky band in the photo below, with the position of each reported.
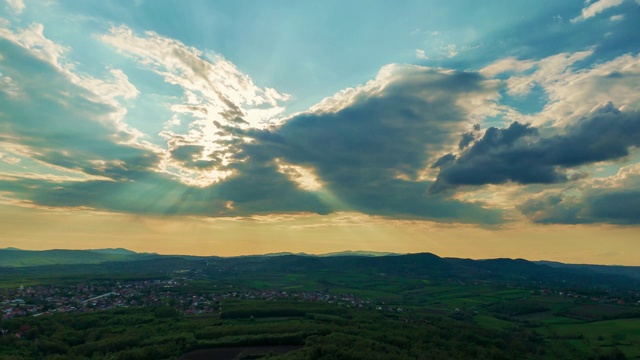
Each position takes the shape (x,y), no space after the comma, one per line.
(384,262)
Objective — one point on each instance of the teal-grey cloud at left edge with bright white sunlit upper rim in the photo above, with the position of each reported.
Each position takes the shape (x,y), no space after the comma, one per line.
(67,123)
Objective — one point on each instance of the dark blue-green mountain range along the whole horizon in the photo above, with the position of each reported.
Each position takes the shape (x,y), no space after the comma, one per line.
(425,265)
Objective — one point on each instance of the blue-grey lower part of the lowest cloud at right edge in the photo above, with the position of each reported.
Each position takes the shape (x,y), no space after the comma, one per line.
(611,205)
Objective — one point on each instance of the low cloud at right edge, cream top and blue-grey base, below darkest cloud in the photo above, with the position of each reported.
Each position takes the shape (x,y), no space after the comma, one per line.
(611,200)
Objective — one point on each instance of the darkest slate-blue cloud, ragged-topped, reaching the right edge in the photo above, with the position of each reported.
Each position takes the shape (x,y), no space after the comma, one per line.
(520,154)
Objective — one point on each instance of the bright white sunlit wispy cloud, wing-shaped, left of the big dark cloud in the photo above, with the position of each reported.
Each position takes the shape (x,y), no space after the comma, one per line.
(216,96)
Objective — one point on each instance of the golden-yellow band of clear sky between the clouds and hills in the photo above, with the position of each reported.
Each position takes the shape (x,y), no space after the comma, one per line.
(38,229)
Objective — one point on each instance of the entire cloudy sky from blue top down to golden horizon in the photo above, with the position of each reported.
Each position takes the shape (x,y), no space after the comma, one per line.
(461,128)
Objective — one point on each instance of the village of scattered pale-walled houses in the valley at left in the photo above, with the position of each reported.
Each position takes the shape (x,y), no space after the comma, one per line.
(46,299)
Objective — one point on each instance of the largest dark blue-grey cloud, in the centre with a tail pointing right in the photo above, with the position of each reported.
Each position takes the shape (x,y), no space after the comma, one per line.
(369,153)
